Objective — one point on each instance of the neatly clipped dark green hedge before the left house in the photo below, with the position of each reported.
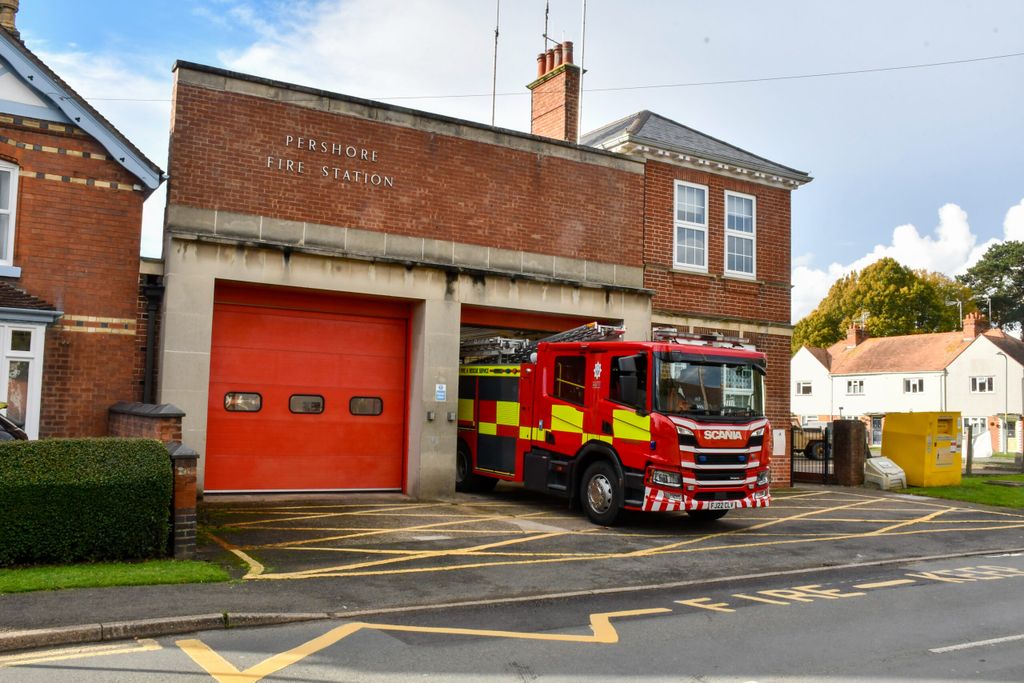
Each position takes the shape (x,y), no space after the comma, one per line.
(83,500)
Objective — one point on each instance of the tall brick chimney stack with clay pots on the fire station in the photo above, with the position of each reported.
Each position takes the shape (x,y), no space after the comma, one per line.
(556,111)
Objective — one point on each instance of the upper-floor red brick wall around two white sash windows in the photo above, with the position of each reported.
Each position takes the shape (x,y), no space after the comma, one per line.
(767,300)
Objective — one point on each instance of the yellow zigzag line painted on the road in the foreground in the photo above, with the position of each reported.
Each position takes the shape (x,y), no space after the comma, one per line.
(222,670)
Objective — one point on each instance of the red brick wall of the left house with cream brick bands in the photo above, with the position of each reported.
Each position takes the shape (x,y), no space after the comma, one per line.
(78,249)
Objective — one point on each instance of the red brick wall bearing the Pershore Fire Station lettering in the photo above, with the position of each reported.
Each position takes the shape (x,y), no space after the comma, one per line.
(445,188)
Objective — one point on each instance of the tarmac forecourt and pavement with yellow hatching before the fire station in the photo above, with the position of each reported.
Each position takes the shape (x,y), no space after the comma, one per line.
(352,556)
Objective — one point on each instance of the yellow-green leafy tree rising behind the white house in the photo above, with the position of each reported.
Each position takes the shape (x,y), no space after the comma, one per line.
(889,300)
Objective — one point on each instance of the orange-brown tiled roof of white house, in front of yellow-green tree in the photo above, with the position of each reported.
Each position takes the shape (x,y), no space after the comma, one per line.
(909,354)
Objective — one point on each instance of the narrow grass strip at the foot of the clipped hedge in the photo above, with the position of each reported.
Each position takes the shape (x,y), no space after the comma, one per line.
(110,574)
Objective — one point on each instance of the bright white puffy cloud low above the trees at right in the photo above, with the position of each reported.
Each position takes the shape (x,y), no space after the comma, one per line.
(952,250)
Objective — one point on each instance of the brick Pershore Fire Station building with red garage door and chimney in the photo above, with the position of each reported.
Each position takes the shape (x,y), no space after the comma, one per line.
(324,255)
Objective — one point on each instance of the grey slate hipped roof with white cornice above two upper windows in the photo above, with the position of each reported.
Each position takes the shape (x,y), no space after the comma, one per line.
(658,132)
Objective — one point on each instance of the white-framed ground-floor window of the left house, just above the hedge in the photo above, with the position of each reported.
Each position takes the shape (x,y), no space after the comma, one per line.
(21,381)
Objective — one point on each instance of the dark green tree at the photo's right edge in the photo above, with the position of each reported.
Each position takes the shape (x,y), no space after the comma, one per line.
(1000,275)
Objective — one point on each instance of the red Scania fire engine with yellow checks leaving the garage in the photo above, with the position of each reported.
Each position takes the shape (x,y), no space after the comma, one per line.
(672,424)
